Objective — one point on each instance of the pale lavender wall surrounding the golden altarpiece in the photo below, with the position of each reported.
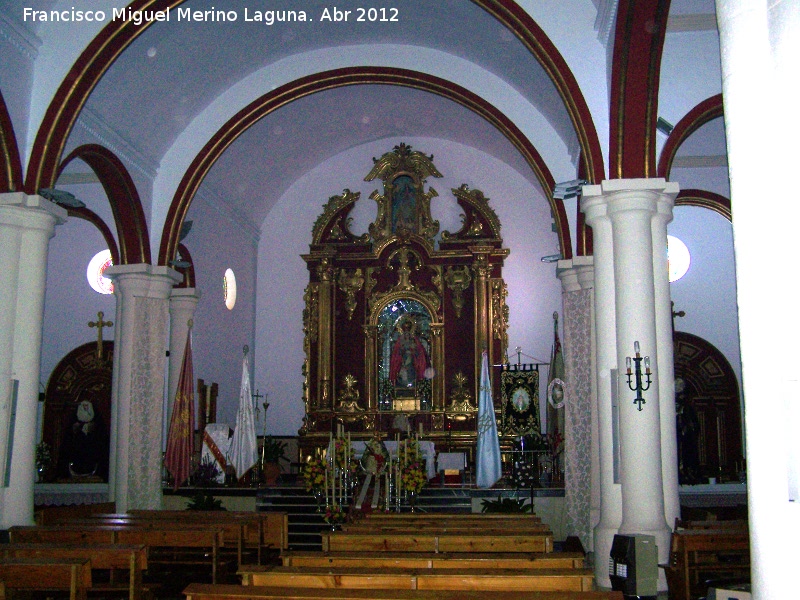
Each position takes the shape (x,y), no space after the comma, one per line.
(534,291)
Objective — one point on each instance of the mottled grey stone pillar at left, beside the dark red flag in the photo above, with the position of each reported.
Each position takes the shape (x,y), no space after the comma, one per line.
(137,396)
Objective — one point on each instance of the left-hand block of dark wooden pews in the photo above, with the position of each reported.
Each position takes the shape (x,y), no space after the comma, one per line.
(165,546)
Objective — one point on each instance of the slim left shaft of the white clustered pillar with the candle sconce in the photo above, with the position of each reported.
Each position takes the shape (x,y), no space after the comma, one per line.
(610,505)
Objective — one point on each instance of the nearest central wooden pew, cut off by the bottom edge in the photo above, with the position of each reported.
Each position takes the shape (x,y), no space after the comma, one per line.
(239,592)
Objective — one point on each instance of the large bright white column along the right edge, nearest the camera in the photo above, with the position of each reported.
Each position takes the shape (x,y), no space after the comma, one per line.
(760,51)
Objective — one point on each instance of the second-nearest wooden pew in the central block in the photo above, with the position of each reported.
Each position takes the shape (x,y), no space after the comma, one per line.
(422,579)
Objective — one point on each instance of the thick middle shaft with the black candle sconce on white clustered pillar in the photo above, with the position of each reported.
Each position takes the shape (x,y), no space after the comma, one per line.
(632,204)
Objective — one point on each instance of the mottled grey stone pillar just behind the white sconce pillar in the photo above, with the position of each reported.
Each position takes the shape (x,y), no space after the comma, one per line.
(577,282)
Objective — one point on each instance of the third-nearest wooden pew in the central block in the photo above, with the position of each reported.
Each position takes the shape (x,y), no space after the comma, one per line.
(431,560)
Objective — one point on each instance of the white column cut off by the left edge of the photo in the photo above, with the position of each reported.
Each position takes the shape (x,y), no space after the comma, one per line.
(26,225)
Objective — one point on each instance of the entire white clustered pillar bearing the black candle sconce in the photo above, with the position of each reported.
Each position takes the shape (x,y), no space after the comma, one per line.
(631,216)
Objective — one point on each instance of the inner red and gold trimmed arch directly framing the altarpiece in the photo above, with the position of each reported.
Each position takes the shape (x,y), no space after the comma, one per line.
(311,84)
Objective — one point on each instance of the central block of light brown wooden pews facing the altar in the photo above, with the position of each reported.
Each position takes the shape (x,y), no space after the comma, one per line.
(405,557)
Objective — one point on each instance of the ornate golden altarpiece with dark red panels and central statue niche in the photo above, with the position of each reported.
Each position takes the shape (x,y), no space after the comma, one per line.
(395,321)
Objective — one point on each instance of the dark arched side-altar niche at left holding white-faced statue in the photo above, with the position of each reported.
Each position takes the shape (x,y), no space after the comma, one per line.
(76,420)
